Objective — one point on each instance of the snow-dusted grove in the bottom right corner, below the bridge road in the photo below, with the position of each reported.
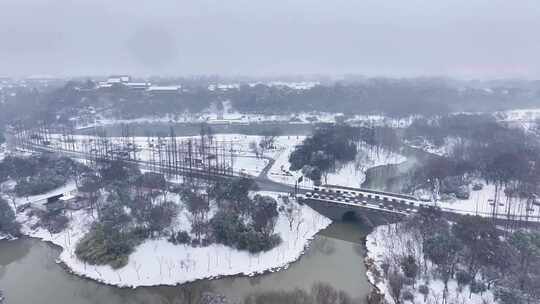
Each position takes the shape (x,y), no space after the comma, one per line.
(471,251)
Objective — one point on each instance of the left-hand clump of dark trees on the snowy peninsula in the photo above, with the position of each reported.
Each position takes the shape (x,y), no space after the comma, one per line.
(116,231)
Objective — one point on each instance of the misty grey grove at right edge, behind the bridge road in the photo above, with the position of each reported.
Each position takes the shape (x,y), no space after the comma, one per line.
(481,149)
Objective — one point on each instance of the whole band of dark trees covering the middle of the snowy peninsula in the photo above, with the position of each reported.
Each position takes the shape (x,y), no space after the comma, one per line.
(132,206)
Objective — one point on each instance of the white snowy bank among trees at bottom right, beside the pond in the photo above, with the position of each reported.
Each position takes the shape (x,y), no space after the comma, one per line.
(389,242)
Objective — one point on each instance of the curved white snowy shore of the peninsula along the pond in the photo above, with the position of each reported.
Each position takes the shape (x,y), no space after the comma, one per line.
(159,262)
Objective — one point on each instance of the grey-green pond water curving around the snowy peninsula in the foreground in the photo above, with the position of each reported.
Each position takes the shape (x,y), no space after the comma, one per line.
(29,274)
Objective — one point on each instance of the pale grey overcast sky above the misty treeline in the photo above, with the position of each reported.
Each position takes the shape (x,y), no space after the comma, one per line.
(459,38)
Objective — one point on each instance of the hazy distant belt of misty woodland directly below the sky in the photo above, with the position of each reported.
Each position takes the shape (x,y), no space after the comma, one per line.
(393,97)
